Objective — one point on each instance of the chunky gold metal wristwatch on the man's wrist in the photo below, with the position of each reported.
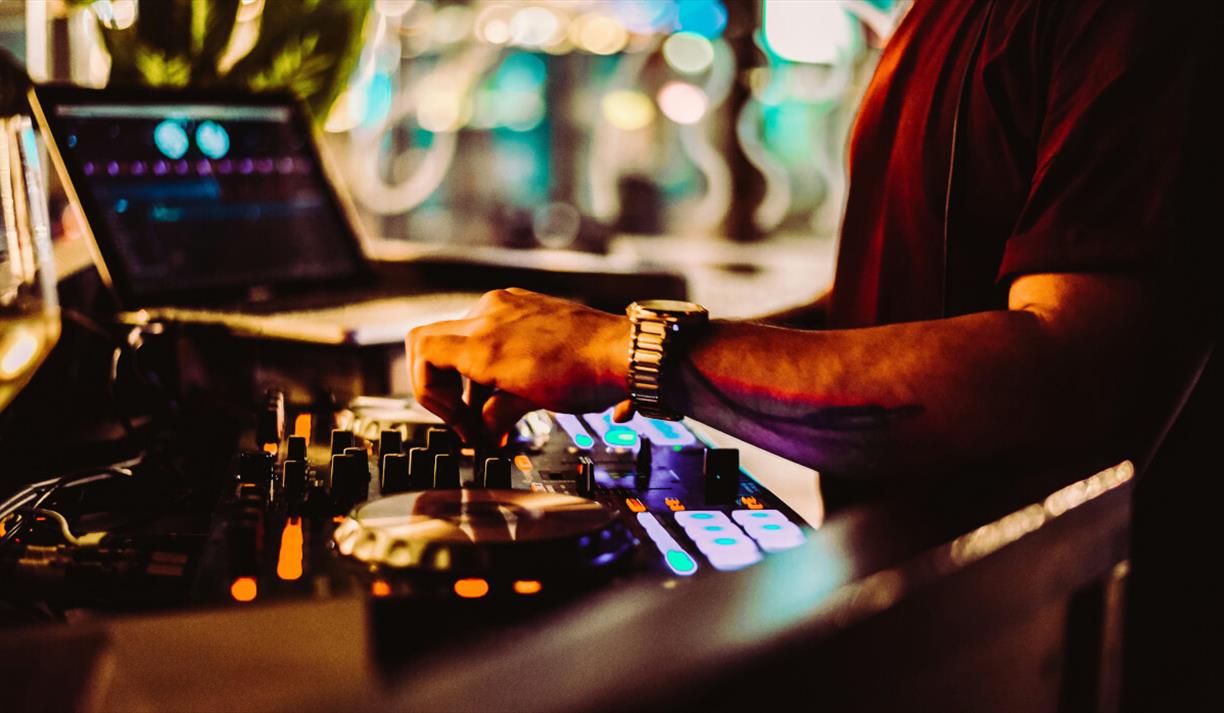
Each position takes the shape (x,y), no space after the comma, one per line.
(662,330)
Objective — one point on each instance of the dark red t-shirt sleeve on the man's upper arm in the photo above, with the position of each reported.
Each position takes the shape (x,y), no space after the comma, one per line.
(1123,149)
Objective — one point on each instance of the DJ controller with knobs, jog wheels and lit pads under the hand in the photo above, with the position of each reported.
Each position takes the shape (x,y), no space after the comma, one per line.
(392,502)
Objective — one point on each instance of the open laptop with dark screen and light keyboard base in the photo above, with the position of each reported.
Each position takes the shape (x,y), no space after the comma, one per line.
(218,209)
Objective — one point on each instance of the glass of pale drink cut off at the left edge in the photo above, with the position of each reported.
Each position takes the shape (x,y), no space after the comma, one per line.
(30,315)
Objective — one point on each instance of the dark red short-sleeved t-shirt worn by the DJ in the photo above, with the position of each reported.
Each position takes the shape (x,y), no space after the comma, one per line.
(1078,139)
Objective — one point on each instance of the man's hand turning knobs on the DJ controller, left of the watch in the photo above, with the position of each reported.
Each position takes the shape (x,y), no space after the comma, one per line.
(520,352)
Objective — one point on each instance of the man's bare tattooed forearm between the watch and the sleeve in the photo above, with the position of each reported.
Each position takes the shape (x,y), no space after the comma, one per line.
(877,401)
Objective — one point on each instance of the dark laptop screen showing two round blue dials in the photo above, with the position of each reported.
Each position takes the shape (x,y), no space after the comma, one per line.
(193,198)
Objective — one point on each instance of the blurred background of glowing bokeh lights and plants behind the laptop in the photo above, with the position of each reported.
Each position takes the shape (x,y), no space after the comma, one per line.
(674,130)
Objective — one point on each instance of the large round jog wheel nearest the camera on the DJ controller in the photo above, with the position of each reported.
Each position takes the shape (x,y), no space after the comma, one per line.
(478,544)
